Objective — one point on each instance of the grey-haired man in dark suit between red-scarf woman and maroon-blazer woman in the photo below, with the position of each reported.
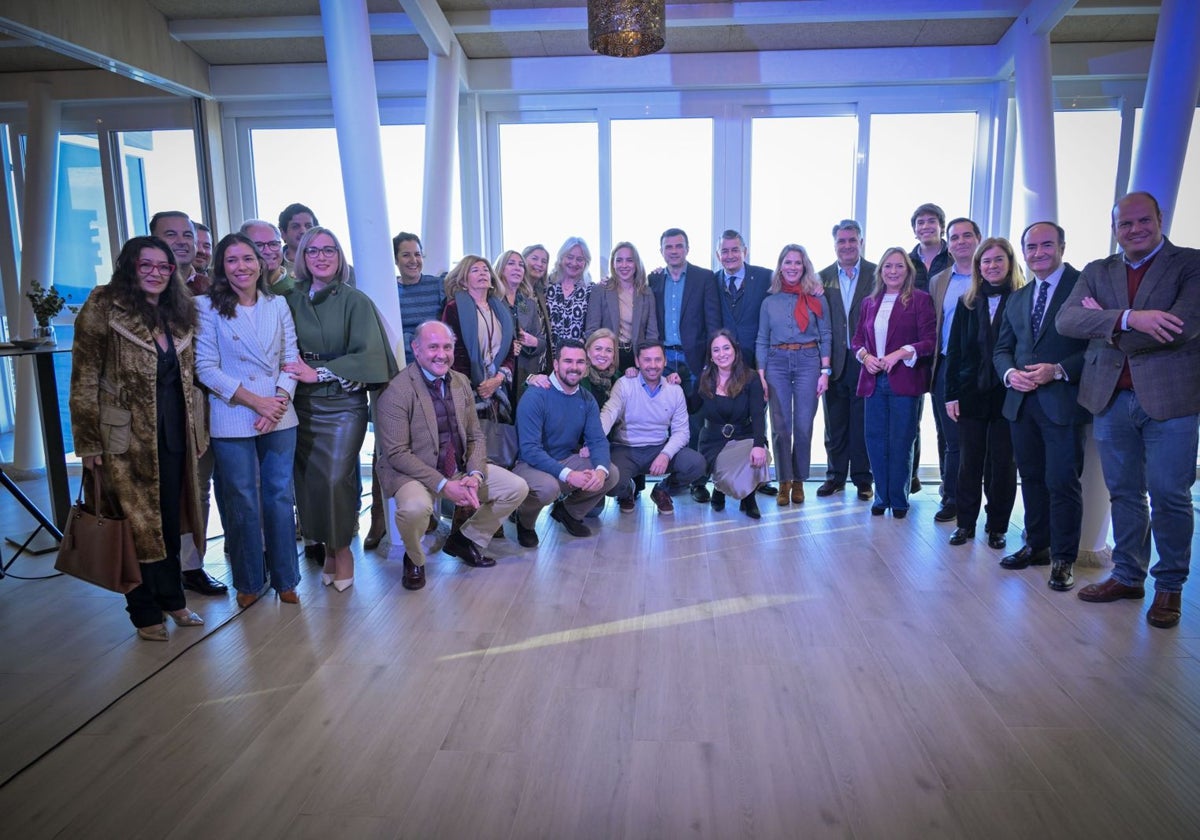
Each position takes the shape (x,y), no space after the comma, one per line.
(847,283)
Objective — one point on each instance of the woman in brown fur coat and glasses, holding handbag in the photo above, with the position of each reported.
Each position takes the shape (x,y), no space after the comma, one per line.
(137,417)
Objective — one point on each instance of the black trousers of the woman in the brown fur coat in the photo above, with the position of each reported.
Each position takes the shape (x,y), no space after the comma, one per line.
(163,590)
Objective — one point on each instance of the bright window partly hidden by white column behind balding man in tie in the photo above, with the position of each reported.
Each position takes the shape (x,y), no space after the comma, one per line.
(1088,145)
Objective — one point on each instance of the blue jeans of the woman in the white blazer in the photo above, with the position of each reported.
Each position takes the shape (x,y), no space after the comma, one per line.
(256,483)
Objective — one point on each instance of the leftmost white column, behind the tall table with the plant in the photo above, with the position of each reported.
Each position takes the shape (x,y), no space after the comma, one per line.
(37,263)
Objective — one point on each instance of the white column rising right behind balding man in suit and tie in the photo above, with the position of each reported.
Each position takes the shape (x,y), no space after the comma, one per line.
(1035,122)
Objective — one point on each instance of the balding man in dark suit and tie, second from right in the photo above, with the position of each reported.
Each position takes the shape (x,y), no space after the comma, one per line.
(1042,370)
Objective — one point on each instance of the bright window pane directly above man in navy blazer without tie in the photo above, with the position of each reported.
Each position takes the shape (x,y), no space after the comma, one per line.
(662,178)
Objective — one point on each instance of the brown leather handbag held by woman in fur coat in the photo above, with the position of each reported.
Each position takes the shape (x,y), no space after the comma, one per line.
(98,548)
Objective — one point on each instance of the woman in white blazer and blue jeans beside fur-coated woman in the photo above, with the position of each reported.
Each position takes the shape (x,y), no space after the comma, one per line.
(247,337)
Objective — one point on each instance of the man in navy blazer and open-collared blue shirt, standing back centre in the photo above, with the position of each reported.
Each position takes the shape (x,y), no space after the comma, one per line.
(689,313)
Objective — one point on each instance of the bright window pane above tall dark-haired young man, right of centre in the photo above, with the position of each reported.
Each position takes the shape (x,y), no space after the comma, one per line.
(916,159)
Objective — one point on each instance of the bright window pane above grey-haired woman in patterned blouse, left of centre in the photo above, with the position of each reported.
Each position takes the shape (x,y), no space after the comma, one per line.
(550,187)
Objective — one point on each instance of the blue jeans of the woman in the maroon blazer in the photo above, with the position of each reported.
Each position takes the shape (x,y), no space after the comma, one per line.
(891,424)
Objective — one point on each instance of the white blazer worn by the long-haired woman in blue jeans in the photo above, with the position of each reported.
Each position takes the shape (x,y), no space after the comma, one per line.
(230,353)
